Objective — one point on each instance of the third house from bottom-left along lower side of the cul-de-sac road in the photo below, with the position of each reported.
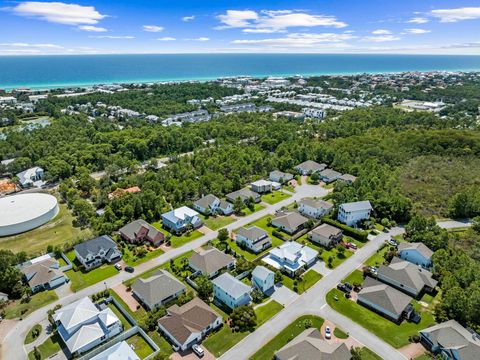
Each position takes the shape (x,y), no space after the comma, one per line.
(210,261)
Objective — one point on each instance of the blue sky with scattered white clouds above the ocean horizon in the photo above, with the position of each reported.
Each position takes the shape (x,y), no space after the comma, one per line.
(334,26)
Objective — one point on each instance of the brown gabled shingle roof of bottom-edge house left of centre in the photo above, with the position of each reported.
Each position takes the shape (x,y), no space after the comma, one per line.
(193,317)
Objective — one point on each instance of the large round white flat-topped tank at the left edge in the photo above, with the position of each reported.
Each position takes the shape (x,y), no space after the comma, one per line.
(23,212)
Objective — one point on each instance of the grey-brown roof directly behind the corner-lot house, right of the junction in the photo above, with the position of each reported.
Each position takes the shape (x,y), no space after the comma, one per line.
(408,274)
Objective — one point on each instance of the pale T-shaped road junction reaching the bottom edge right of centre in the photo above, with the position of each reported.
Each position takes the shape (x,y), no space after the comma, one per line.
(313,302)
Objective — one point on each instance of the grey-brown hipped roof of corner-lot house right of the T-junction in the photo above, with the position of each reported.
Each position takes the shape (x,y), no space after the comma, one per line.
(384,296)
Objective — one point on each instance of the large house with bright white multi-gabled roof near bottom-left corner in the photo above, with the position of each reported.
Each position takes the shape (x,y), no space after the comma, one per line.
(82,325)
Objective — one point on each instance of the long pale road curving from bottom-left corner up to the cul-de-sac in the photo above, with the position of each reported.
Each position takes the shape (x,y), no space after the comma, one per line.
(12,346)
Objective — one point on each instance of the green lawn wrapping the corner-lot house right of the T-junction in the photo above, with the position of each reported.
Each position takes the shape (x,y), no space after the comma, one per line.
(395,335)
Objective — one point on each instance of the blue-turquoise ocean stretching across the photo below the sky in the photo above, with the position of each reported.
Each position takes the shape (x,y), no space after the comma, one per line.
(41,72)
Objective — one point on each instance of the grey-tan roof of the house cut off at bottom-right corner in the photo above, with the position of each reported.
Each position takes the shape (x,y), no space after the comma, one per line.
(452,335)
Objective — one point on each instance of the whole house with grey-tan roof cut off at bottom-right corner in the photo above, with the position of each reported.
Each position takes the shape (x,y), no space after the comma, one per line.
(451,341)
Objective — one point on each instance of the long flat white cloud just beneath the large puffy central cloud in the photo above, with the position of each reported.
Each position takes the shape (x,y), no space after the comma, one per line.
(299,40)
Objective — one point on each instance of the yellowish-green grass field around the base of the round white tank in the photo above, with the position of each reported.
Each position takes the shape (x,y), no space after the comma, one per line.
(57,232)
